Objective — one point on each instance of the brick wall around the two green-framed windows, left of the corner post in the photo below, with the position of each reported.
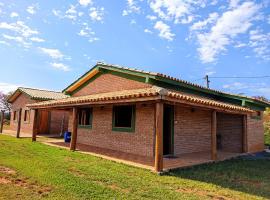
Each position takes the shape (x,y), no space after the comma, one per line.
(140,142)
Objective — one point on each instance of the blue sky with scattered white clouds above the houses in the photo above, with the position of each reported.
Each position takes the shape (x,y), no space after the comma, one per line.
(49,44)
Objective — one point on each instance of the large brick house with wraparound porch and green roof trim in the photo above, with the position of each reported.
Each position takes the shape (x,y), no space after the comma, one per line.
(157,117)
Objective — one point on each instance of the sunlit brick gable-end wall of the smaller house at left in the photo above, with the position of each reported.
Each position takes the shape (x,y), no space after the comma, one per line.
(21,102)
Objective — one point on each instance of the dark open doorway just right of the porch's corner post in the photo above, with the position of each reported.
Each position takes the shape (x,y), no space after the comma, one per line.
(168,123)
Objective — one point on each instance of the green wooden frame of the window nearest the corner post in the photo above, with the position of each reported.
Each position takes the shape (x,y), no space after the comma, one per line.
(133,119)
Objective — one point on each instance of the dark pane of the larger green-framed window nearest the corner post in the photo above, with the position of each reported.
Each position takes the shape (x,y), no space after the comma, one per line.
(123,116)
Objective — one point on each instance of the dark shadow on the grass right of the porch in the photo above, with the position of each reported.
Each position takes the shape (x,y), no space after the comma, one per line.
(248,176)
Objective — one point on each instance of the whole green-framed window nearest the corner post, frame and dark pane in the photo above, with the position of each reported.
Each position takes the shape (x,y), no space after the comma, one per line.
(124,118)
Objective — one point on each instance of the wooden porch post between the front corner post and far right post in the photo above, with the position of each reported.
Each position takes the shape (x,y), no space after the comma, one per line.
(214,136)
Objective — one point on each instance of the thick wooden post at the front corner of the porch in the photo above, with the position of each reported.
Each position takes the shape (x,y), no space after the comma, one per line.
(159,137)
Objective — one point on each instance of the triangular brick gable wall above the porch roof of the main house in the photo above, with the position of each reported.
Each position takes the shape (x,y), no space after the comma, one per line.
(109,83)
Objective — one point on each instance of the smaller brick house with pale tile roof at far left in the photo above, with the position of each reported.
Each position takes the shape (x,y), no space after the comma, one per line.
(51,121)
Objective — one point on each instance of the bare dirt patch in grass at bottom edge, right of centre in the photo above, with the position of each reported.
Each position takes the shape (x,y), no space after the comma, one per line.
(202,193)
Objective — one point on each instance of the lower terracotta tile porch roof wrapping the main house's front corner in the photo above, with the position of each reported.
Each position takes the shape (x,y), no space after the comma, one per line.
(138,93)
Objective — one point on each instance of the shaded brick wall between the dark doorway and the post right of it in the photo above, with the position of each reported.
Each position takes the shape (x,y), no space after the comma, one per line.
(192,130)
